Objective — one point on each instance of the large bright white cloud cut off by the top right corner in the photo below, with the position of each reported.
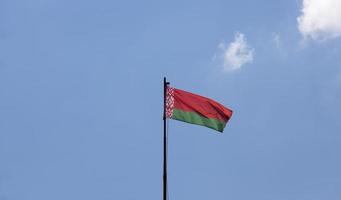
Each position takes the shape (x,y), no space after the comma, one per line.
(320,19)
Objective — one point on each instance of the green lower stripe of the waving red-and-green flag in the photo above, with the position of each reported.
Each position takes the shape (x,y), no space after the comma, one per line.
(195,118)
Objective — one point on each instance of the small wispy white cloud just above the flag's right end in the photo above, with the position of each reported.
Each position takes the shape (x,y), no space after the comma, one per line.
(236,54)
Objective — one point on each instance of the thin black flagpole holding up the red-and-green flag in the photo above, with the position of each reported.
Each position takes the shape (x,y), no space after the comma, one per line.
(165,83)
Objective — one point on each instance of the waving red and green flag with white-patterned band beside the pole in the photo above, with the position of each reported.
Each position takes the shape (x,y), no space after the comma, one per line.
(195,109)
